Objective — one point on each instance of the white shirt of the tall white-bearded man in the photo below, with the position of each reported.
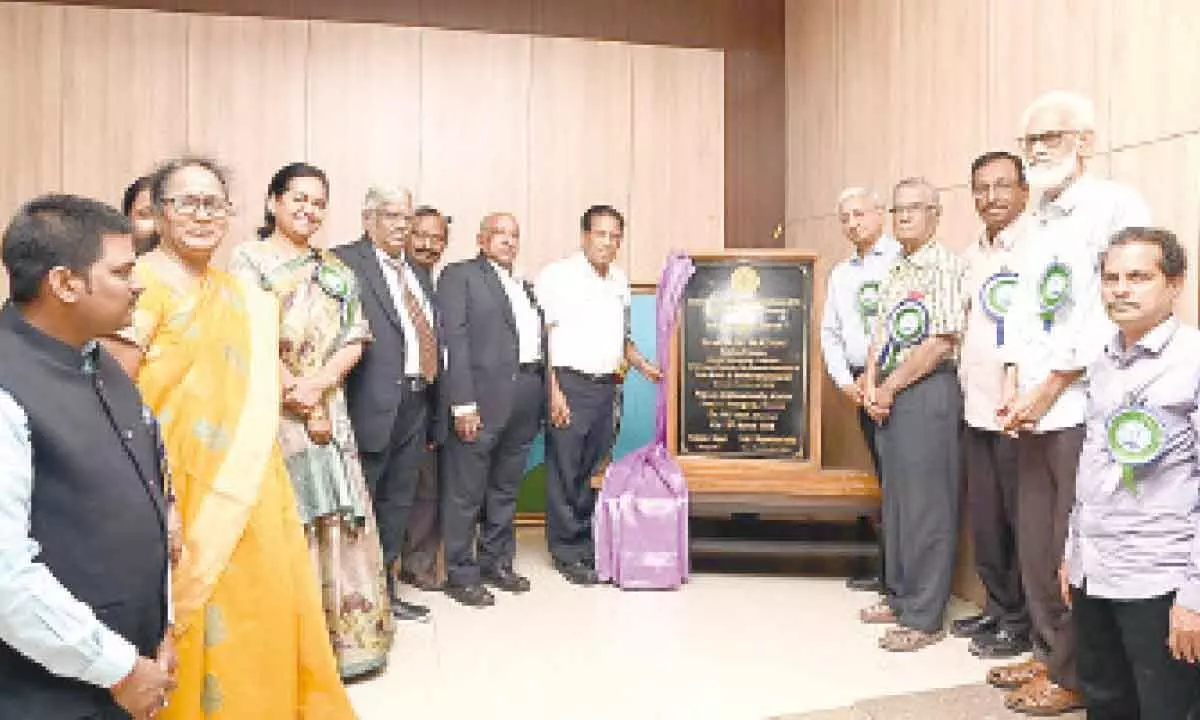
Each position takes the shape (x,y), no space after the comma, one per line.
(1072,230)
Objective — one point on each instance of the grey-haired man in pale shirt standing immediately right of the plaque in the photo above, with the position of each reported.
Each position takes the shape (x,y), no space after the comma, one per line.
(850,309)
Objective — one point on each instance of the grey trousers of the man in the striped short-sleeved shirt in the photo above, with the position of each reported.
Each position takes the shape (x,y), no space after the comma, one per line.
(920,452)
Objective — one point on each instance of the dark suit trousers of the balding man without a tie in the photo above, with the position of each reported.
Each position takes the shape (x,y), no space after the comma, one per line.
(481,483)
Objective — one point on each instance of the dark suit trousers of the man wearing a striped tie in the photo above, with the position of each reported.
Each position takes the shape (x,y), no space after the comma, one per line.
(392,476)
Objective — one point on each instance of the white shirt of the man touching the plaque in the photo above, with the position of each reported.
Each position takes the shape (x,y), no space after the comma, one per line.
(586,314)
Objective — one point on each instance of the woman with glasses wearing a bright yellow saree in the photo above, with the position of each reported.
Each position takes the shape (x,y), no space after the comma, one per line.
(250,632)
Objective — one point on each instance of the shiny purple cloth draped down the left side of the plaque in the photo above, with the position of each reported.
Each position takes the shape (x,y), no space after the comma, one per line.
(641,519)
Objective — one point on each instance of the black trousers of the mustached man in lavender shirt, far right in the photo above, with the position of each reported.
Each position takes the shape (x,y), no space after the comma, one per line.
(1126,671)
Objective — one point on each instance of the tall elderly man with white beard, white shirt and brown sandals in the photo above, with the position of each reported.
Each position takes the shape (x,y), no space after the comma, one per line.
(1059,328)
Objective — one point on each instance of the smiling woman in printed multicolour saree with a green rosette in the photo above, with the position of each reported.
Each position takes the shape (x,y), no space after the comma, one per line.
(322,331)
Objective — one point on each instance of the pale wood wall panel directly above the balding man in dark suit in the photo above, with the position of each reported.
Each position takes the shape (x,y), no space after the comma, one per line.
(476,131)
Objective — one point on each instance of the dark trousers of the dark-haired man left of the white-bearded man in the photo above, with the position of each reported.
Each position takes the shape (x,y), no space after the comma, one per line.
(991,464)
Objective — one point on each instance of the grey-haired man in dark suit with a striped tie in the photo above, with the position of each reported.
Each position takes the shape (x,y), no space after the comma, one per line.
(389,391)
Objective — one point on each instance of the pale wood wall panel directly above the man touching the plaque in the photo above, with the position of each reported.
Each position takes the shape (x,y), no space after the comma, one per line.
(581,111)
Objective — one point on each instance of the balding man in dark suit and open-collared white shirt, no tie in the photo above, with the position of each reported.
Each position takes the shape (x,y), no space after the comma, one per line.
(495,393)
